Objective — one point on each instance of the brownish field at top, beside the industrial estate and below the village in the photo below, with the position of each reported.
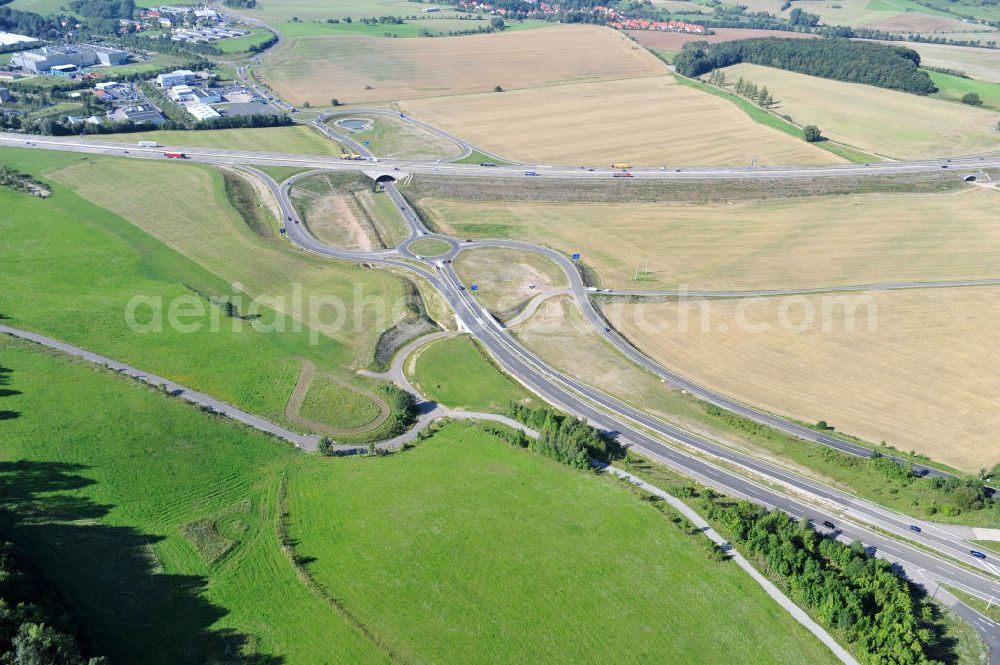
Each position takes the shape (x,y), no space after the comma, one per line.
(358,69)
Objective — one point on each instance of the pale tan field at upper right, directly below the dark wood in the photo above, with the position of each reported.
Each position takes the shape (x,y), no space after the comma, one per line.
(856,114)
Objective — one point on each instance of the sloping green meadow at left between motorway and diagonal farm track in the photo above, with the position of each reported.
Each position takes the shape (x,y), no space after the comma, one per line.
(70,269)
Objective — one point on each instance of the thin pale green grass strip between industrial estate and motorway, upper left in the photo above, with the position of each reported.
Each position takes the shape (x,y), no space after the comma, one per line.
(295,139)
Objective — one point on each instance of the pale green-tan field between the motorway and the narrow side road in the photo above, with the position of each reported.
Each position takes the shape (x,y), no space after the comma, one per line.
(775,243)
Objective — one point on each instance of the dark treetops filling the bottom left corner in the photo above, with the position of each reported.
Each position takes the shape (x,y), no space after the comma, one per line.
(34,626)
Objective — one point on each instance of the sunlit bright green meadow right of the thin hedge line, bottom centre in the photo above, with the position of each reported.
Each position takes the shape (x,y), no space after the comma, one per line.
(466,531)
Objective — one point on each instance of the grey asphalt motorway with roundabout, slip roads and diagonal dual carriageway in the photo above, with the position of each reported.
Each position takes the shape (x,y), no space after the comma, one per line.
(694,456)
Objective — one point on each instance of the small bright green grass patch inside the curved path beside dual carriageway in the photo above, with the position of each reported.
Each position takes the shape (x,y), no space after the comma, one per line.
(457,373)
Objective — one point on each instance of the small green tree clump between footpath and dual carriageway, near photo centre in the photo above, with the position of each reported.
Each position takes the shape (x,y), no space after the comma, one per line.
(563,438)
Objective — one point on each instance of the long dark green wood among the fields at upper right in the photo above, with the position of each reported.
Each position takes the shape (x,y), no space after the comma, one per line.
(892,67)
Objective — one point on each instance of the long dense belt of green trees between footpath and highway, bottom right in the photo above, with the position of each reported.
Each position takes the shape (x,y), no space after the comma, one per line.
(885,618)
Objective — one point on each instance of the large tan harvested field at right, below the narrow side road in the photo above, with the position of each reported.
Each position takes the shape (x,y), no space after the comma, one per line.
(918,380)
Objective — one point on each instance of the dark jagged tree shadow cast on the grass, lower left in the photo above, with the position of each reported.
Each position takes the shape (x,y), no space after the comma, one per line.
(127,607)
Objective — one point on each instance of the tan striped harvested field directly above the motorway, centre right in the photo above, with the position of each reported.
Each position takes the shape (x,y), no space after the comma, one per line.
(646,121)
